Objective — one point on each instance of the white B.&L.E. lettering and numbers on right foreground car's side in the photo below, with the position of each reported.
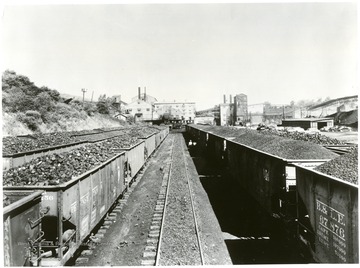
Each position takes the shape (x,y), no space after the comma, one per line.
(331,230)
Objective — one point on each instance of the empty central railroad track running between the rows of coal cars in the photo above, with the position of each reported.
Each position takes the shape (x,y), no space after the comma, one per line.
(161,239)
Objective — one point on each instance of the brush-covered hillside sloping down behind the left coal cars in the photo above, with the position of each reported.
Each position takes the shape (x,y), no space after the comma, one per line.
(28,109)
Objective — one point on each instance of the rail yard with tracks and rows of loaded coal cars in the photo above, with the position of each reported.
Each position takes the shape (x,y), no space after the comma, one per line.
(203,195)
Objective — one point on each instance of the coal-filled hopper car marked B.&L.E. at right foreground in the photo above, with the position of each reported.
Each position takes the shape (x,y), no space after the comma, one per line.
(327,210)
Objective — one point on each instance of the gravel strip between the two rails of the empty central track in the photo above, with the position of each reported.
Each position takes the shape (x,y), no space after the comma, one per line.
(179,244)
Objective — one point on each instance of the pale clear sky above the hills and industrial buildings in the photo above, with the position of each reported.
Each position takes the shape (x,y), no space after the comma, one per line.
(197,52)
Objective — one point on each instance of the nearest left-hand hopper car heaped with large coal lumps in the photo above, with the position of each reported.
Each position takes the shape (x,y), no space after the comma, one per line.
(76,204)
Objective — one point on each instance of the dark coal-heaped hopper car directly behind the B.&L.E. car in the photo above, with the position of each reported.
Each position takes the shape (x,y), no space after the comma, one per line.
(266,167)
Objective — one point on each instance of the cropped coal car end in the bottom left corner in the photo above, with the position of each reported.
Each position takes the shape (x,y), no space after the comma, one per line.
(22,216)
